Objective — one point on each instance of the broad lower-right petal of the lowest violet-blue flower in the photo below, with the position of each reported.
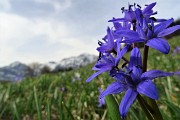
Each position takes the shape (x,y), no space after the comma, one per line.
(148,88)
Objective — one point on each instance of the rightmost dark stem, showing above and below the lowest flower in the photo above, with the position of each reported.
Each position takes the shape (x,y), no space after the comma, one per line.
(152,103)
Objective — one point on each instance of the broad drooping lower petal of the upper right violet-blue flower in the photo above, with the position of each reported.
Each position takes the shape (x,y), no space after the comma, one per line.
(159,44)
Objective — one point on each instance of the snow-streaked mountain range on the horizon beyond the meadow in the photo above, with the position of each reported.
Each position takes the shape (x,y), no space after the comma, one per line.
(18,71)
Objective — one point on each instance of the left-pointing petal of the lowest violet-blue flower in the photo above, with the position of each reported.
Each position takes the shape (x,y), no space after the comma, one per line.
(114,88)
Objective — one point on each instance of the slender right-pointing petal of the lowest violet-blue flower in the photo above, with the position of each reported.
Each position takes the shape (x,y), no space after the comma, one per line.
(152,74)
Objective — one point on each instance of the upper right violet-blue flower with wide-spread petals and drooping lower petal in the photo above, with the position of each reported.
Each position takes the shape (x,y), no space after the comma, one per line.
(151,35)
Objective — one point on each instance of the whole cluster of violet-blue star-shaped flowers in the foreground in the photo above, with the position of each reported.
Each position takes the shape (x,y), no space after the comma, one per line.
(137,25)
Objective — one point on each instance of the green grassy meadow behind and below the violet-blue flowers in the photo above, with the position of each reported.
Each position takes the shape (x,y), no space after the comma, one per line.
(42,98)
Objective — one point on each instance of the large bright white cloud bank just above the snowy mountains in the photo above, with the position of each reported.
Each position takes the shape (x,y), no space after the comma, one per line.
(18,40)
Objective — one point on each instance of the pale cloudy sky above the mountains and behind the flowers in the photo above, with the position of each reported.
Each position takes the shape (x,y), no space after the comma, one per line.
(50,30)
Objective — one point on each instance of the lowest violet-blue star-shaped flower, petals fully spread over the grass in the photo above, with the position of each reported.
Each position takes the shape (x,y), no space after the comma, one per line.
(134,82)
